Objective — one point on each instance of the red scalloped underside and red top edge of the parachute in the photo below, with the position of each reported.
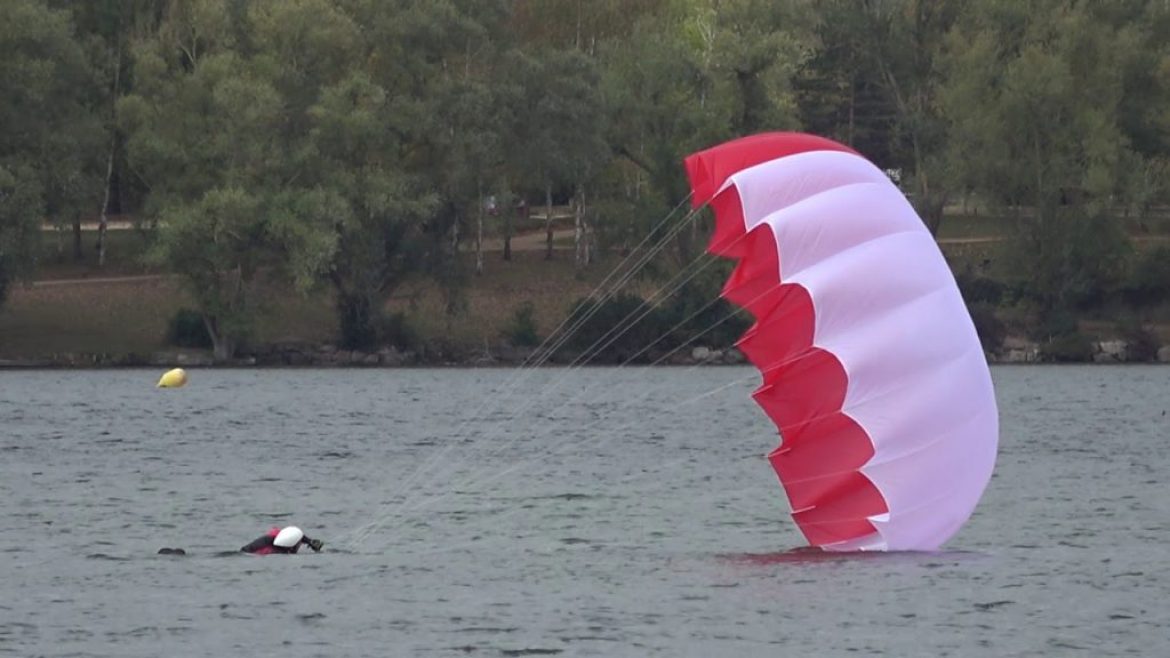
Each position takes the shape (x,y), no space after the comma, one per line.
(804,387)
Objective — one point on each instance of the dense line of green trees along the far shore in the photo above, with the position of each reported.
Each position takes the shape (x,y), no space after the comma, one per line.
(349,145)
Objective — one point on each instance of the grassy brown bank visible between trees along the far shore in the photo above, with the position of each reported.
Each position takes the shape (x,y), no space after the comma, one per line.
(77,307)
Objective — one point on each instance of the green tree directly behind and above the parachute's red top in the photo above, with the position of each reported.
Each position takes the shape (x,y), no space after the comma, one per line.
(700,74)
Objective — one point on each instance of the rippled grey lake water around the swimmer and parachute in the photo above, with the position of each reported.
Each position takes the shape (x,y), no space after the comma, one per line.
(607,512)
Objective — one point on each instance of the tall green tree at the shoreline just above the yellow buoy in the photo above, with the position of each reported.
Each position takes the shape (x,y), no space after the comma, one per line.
(203,127)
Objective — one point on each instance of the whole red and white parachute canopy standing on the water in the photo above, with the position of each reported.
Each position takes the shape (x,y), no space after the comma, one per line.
(872,368)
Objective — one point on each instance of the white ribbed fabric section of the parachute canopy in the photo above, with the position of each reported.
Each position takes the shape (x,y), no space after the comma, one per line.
(889,309)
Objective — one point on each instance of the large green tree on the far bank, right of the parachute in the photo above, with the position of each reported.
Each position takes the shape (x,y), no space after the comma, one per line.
(1037,98)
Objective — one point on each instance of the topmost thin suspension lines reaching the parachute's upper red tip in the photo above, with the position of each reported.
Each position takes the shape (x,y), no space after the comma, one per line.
(529,364)
